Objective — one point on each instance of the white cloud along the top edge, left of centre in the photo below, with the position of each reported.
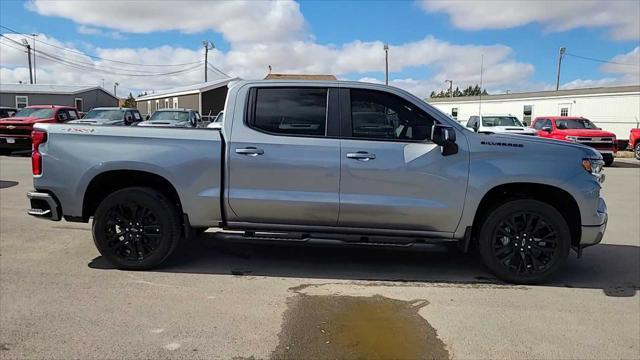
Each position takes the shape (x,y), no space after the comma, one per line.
(238,21)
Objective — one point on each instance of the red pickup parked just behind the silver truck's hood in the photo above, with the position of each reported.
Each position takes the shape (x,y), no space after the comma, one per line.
(578,130)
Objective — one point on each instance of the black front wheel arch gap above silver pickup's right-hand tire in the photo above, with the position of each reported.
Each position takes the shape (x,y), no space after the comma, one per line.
(560,199)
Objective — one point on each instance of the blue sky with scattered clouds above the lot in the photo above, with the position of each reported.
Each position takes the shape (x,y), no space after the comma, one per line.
(528,46)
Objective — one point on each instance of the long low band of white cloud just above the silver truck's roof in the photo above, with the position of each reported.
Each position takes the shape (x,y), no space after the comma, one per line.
(445,60)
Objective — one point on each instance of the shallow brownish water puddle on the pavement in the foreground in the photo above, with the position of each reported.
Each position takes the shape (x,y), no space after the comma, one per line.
(347,327)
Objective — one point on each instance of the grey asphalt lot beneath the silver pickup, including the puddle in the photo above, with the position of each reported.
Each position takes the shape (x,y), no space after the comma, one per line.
(59,299)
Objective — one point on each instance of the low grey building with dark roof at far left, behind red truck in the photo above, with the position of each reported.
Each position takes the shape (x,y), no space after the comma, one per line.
(84,98)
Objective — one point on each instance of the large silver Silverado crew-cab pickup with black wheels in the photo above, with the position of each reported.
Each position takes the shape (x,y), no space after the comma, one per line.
(334,162)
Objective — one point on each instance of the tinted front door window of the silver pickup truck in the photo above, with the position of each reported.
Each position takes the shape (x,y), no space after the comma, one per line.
(379,115)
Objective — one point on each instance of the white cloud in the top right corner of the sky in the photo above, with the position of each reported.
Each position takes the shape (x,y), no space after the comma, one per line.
(620,17)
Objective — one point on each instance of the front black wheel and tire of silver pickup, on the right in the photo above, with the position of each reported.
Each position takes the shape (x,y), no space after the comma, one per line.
(517,257)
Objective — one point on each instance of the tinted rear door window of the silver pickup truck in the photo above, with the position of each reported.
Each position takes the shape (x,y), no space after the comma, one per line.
(291,111)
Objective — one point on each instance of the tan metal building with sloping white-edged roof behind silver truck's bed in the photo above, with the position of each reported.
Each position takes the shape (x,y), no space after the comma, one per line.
(208,98)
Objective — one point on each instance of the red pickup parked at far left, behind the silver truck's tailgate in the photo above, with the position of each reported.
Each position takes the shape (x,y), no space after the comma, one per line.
(15,132)
